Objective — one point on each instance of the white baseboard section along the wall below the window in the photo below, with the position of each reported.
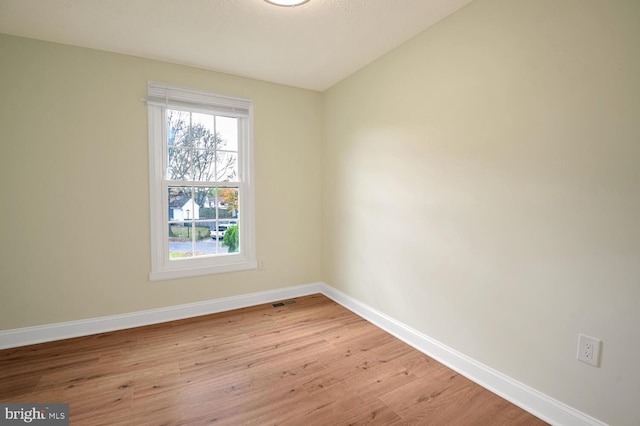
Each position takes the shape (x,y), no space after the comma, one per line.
(65,330)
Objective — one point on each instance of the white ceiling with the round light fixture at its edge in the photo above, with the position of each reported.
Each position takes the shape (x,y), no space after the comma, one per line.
(313,46)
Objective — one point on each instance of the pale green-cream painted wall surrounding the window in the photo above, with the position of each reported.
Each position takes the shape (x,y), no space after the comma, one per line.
(74,185)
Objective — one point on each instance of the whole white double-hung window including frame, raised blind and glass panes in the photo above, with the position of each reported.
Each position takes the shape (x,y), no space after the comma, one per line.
(200,182)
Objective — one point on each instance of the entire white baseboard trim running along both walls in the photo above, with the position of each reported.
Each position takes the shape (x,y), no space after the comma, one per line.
(537,403)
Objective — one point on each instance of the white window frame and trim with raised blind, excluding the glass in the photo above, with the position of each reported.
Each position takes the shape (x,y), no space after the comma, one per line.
(161,97)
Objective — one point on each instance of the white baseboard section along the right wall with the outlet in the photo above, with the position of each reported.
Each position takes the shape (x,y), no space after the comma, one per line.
(527,398)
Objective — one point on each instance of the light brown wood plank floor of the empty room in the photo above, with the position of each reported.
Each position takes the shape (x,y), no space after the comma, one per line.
(309,363)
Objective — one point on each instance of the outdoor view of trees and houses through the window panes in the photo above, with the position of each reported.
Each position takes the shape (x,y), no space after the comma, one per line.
(202,167)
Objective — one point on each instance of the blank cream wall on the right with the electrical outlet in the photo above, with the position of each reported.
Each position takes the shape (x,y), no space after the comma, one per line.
(481,184)
